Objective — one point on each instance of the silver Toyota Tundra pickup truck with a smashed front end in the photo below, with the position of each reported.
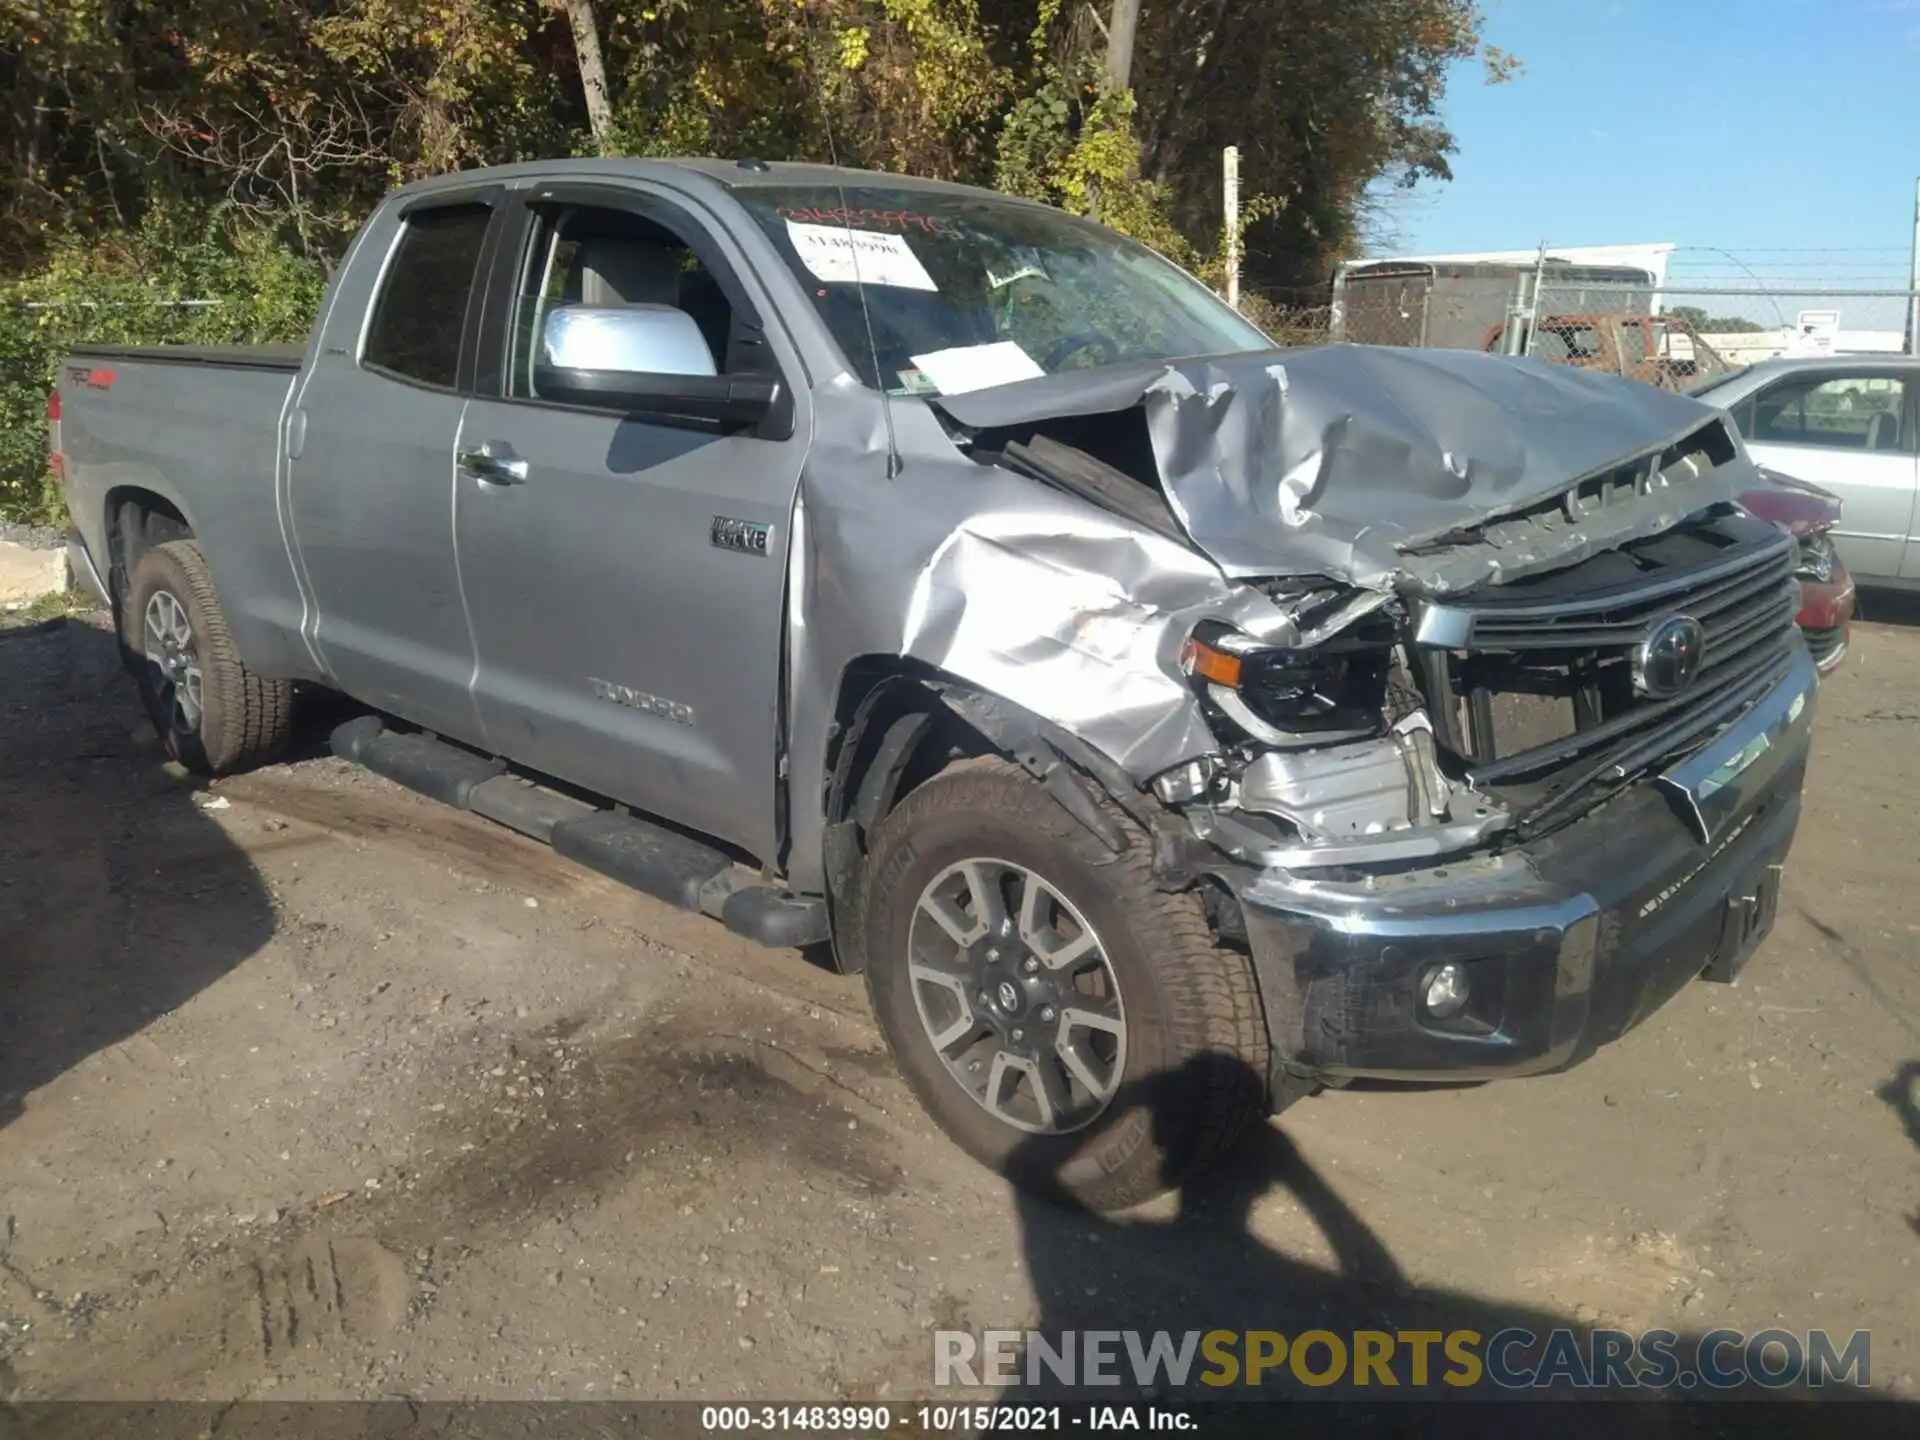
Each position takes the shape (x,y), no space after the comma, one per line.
(1164,723)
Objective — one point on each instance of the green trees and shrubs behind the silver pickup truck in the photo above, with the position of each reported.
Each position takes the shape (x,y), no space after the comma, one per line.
(156,147)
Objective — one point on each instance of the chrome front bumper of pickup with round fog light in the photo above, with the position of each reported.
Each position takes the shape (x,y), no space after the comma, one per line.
(1568,940)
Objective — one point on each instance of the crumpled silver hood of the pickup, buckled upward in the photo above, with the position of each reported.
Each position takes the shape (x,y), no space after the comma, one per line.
(1343,460)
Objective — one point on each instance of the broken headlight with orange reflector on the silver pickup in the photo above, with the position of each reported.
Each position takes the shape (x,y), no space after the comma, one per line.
(1291,698)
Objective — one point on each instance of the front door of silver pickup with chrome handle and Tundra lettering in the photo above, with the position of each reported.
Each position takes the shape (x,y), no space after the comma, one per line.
(627,579)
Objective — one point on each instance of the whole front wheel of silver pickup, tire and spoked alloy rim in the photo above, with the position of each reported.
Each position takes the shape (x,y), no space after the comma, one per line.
(1065,1020)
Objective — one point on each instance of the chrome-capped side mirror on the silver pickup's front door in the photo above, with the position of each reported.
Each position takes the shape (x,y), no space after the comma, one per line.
(644,360)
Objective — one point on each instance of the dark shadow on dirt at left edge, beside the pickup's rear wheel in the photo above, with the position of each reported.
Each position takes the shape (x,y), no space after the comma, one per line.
(120,900)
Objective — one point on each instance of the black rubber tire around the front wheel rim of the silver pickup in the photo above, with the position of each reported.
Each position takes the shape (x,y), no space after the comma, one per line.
(1195,1068)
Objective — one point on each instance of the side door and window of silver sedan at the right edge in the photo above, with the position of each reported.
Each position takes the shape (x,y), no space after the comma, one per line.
(1852,433)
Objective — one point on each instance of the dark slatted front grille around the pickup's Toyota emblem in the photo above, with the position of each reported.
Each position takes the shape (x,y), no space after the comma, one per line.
(1529,679)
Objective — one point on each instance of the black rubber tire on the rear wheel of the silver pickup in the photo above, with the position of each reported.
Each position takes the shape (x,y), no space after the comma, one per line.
(243,719)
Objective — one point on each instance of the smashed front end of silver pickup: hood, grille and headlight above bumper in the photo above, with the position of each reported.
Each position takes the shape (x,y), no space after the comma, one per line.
(1472,600)
